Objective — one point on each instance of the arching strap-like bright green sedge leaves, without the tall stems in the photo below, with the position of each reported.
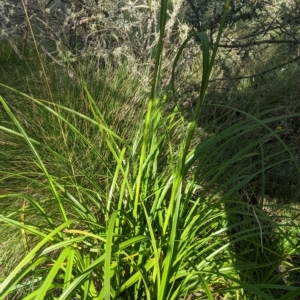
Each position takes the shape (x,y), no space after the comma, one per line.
(220,244)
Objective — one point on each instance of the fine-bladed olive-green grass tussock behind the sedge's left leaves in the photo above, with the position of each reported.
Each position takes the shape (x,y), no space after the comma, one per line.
(117,94)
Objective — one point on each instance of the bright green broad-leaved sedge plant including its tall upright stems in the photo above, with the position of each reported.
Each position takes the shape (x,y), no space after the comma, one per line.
(163,220)
